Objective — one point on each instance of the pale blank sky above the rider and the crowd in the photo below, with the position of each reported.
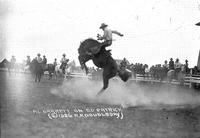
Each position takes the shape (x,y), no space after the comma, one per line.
(154,30)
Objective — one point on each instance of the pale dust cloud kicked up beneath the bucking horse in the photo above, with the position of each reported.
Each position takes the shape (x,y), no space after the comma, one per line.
(127,94)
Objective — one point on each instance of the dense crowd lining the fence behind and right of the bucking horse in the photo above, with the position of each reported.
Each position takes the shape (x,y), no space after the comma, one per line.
(158,71)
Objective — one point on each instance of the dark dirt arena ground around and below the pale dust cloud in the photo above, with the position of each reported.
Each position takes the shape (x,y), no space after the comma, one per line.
(24,102)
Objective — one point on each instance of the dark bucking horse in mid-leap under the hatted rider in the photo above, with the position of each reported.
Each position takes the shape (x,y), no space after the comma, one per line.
(102,59)
